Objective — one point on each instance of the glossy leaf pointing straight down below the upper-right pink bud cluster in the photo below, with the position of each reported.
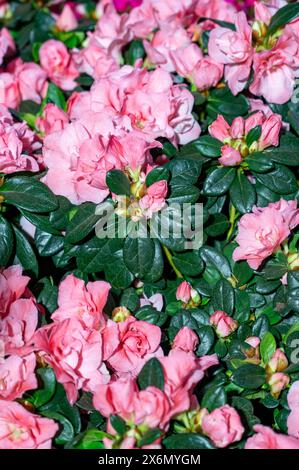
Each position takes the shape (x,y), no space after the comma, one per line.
(242,193)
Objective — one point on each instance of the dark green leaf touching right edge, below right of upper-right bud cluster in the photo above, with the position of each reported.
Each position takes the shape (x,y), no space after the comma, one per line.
(282,180)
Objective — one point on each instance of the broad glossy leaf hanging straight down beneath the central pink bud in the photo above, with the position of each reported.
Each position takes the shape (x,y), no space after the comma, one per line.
(139,255)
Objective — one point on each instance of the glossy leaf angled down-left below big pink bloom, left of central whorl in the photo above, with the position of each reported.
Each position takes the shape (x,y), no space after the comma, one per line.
(82,223)
